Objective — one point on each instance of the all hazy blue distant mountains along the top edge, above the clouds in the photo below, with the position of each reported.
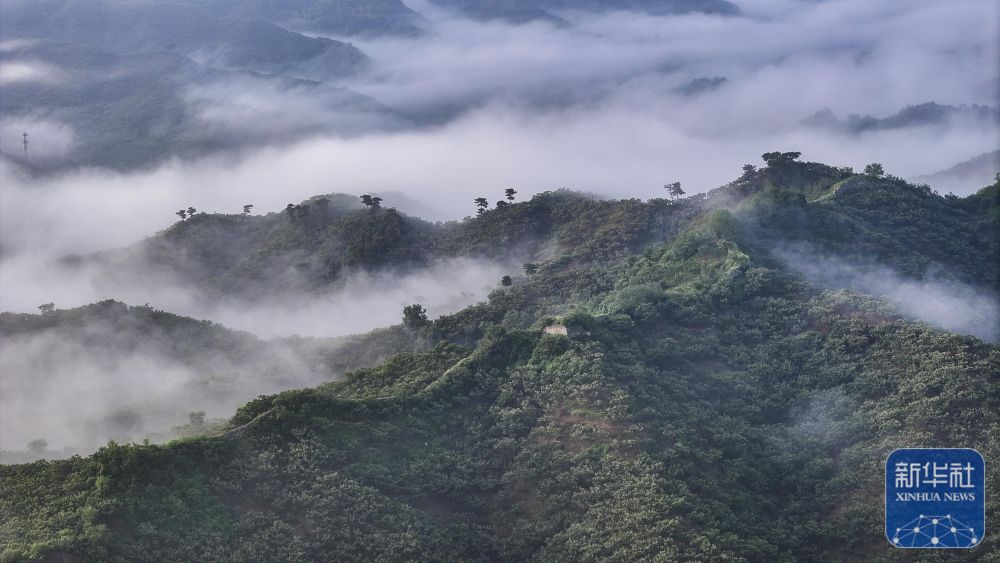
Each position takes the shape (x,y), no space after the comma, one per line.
(126,84)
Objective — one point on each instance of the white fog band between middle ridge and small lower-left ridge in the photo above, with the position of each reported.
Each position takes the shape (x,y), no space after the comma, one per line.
(361,302)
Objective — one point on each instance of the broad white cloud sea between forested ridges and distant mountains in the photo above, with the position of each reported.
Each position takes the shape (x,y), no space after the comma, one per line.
(477,107)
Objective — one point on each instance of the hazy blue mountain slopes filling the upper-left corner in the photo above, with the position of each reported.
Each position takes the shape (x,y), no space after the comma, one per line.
(127,77)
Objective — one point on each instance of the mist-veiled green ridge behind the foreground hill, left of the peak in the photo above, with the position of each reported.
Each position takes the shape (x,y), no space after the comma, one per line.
(312,245)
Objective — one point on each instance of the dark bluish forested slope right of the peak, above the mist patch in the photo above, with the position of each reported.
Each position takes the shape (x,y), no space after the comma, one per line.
(877,219)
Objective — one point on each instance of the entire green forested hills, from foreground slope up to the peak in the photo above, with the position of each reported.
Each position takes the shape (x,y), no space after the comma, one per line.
(663,381)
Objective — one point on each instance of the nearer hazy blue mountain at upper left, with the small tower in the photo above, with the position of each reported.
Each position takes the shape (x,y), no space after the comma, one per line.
(129,109)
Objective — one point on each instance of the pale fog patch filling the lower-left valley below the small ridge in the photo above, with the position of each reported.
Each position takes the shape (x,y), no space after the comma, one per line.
(76,388)
